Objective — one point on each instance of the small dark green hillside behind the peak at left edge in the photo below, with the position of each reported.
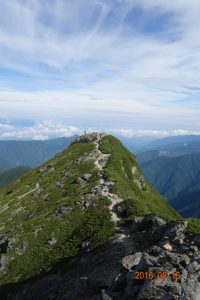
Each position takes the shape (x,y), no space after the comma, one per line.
(13,174)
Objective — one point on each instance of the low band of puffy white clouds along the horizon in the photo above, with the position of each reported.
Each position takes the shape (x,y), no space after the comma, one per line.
(50,129)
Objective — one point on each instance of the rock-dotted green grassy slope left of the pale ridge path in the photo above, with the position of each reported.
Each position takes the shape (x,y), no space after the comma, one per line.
(31,219)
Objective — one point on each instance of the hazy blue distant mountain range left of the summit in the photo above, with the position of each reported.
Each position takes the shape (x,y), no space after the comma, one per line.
(29,153)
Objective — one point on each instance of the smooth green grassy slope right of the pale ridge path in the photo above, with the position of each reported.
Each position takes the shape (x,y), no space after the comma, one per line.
(141,201)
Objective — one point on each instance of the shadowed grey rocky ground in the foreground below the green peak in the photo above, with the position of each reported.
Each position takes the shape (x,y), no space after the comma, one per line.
(135,266)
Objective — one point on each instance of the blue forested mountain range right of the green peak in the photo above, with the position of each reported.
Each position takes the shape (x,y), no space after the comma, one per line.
(172,166)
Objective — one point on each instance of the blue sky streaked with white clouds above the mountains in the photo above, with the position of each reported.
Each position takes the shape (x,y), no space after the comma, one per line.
(129,67)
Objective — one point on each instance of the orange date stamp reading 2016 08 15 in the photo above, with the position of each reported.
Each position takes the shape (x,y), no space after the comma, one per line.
(175,276)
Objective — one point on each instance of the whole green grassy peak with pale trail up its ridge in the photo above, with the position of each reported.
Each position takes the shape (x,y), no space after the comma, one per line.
(71,205)
